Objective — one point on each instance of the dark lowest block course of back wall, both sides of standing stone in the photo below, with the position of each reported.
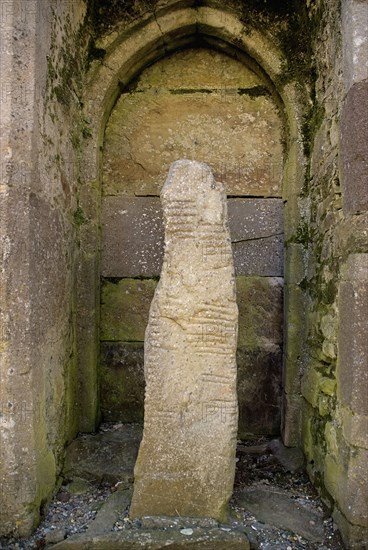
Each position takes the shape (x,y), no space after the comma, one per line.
(259,385)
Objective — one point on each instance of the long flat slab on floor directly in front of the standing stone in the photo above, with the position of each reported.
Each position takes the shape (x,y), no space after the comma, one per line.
(199,539)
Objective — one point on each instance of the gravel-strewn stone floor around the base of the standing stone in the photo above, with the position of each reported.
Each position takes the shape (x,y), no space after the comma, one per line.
(274,506)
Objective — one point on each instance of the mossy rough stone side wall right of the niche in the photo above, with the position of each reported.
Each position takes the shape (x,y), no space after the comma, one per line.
(334,383)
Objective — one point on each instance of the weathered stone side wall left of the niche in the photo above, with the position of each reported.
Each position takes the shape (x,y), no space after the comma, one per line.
(41,66)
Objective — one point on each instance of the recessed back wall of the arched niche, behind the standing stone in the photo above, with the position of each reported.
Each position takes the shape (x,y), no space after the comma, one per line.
(199,104)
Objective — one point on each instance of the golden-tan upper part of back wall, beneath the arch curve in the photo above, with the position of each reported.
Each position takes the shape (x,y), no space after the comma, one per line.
(194,103)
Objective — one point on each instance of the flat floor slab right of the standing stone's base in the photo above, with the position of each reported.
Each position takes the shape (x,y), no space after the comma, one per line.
(280,510)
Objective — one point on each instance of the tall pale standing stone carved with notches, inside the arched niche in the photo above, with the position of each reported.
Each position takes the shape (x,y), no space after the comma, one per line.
(186,461)
